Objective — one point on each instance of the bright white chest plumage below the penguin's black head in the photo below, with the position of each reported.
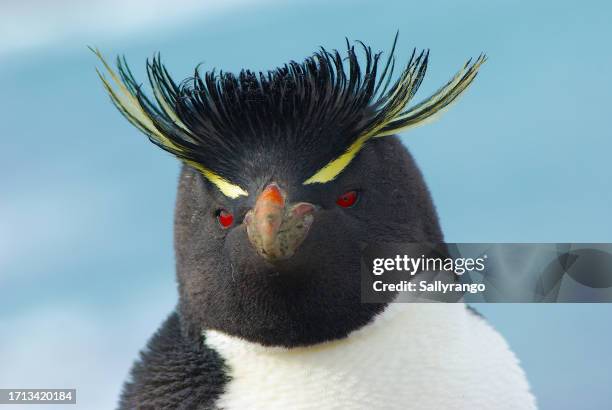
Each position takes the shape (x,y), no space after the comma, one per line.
(413,356)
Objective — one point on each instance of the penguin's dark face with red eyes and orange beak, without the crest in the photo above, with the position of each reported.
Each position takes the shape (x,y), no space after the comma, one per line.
(237,274)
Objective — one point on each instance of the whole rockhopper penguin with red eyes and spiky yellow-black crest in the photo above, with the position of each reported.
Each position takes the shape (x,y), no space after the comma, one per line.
(285,175)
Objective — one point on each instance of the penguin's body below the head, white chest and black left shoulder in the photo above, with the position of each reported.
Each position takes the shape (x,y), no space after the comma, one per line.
(452,359)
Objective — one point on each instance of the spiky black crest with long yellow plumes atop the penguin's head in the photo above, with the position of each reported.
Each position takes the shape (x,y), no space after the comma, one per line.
(315,115)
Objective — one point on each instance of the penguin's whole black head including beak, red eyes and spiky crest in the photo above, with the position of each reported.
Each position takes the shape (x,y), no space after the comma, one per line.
(285,180)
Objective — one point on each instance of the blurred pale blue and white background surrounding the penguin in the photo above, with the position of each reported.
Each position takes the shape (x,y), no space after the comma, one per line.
(86,203)
